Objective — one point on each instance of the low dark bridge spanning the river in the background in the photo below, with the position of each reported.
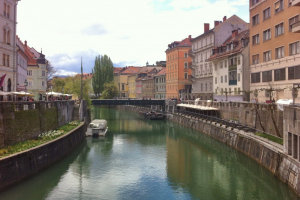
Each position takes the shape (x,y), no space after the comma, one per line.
(135,102)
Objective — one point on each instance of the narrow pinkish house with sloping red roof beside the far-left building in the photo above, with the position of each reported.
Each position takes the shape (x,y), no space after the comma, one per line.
(22,61)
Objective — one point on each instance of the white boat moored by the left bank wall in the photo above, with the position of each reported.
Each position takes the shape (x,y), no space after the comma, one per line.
(97,127)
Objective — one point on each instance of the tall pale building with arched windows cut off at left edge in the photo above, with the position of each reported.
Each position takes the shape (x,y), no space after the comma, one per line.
(8,23)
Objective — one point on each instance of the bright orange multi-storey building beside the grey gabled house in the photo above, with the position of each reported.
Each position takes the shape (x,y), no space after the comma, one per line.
(178,73)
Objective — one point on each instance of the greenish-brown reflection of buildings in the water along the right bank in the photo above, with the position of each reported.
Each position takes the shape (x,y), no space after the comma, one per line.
(210,170)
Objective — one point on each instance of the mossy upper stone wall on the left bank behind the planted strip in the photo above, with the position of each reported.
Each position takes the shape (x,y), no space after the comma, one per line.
(20,121)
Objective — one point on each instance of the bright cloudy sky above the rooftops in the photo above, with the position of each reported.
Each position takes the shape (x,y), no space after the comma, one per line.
(130,32)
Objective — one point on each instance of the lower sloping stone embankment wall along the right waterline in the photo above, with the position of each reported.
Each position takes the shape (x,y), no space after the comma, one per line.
(266,153)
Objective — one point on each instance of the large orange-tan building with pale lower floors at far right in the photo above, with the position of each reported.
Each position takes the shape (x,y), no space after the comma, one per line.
(274,49)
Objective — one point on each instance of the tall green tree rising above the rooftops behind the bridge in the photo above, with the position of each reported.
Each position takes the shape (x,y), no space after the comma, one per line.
(103,72)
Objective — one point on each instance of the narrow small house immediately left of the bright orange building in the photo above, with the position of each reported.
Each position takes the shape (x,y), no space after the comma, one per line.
(160,84)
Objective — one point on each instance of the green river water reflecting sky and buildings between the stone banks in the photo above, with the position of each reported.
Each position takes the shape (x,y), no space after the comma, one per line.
(151,160)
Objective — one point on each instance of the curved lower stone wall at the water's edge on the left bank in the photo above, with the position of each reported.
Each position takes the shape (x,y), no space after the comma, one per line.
(24,164)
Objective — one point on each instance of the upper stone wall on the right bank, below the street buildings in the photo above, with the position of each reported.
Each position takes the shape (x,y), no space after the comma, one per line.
(263,117)
